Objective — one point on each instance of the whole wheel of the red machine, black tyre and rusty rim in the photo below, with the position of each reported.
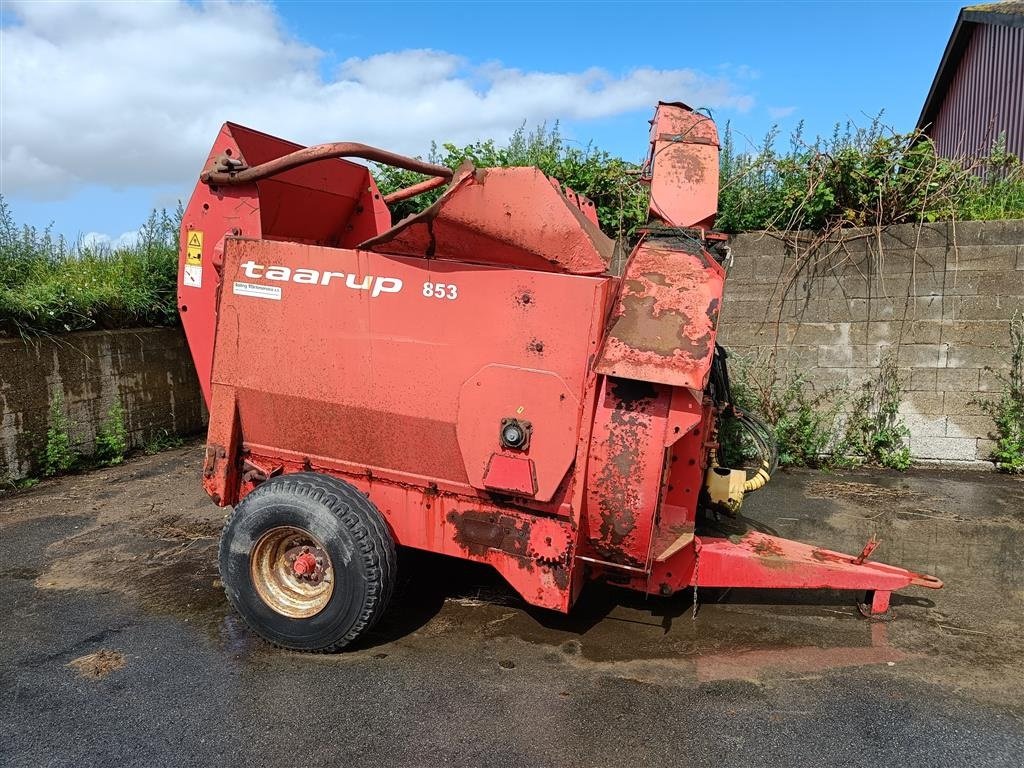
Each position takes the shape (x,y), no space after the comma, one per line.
(308,562)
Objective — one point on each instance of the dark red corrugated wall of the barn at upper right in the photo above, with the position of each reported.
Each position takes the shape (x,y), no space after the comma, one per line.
(986,97)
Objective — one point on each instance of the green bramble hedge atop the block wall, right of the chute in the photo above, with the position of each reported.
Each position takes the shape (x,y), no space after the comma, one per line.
(862,178)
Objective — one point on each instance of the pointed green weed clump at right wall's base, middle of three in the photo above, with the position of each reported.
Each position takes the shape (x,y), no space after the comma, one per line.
(875,433)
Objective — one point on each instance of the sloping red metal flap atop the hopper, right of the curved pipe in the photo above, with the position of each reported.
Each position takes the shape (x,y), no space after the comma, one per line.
(504,217)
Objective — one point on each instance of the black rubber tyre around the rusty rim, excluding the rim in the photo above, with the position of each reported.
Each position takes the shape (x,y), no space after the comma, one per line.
(352,532)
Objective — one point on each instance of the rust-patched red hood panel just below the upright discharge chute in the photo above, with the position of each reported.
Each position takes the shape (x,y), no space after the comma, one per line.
(665,326)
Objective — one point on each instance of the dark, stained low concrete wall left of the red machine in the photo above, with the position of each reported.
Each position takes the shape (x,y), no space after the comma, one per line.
(149,369)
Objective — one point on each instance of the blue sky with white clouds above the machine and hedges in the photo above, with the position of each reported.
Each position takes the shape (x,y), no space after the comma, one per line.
(108,110)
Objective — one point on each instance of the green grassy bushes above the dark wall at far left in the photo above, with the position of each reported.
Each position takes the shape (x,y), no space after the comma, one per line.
(51,286)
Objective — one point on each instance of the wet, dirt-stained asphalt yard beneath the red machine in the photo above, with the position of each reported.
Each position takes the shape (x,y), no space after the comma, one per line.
(117,647)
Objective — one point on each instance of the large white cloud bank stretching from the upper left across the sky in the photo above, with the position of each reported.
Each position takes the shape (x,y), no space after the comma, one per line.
(123,95)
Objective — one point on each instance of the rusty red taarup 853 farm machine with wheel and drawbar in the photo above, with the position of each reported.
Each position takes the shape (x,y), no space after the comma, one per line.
(473,381)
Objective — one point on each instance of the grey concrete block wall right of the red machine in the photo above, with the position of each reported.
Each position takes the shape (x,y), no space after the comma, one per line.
(937,297)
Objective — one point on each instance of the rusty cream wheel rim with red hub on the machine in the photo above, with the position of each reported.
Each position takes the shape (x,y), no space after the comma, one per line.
(292,572)
